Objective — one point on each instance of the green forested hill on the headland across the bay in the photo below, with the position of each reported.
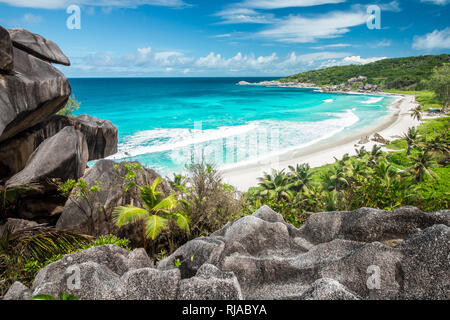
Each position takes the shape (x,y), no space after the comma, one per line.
(399,73)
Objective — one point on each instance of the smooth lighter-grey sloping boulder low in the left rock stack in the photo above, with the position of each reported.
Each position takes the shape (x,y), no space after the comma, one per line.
(63,156)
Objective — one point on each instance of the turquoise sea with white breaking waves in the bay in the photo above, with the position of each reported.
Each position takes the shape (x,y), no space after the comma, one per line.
(165,123)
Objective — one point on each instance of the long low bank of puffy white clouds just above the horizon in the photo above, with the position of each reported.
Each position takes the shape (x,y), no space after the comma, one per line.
(146,62)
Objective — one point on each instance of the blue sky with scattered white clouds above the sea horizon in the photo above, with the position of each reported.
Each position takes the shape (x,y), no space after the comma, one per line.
(171,38)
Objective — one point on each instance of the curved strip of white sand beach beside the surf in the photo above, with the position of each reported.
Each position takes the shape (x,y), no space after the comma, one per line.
(324,152)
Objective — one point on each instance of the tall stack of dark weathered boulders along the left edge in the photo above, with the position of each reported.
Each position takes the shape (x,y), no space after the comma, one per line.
(35,144)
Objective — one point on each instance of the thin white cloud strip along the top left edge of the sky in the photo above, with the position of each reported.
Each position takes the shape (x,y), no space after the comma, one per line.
(62,4)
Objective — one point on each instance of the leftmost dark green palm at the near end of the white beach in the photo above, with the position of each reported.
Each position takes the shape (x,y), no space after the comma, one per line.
(275,185)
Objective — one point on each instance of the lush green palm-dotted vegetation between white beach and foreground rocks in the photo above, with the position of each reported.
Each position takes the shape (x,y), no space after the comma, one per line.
(415,173)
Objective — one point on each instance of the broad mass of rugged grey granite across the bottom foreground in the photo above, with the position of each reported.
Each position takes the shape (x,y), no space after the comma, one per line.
(363,254)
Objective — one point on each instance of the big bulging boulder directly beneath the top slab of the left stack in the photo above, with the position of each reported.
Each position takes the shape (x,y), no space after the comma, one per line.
(32,92)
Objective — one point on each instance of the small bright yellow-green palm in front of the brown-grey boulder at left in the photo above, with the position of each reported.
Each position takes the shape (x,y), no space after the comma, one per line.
(156,213)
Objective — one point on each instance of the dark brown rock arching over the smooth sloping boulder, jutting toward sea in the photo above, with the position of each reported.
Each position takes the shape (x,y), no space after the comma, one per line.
(101,137)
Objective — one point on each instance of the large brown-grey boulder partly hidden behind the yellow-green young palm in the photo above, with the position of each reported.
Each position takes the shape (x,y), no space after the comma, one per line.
(82,217)
